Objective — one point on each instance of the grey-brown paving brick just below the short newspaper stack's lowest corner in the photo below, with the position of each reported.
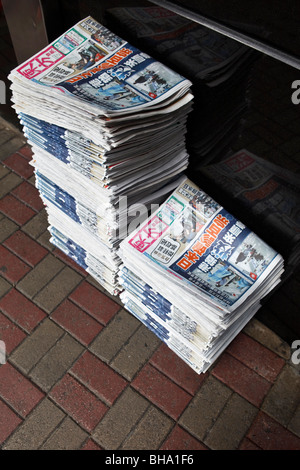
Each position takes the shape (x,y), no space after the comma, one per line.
(203,410)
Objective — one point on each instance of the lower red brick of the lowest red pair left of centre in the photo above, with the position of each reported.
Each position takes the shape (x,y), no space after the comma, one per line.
(82,405)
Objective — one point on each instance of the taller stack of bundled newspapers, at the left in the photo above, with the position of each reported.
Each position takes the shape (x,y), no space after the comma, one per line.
(107,126)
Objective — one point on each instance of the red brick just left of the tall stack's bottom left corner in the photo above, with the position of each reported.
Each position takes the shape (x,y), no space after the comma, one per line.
(26,248)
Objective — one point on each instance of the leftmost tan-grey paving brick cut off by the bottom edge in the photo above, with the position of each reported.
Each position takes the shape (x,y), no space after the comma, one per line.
(37,427)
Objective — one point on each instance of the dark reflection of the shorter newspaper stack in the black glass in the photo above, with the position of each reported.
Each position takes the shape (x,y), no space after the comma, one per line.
(267,195)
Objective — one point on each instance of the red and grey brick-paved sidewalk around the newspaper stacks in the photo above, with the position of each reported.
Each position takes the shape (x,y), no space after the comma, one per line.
(82,373)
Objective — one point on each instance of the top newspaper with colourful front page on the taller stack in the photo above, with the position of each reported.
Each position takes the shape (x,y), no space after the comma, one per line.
(91,64)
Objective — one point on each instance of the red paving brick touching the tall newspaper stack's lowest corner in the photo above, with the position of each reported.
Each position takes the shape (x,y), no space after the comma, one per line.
(101,307)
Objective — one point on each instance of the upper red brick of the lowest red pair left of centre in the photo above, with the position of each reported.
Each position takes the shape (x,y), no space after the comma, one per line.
(99,377)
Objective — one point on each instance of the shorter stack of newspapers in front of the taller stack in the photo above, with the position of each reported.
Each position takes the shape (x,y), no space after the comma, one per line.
(195,275)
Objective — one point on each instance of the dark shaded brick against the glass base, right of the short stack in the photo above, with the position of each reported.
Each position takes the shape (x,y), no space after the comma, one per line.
(268,338)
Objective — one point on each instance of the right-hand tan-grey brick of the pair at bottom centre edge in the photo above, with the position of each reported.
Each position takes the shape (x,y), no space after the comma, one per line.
(150,432)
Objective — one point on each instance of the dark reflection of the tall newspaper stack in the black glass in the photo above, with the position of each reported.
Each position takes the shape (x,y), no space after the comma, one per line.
(219,68)
